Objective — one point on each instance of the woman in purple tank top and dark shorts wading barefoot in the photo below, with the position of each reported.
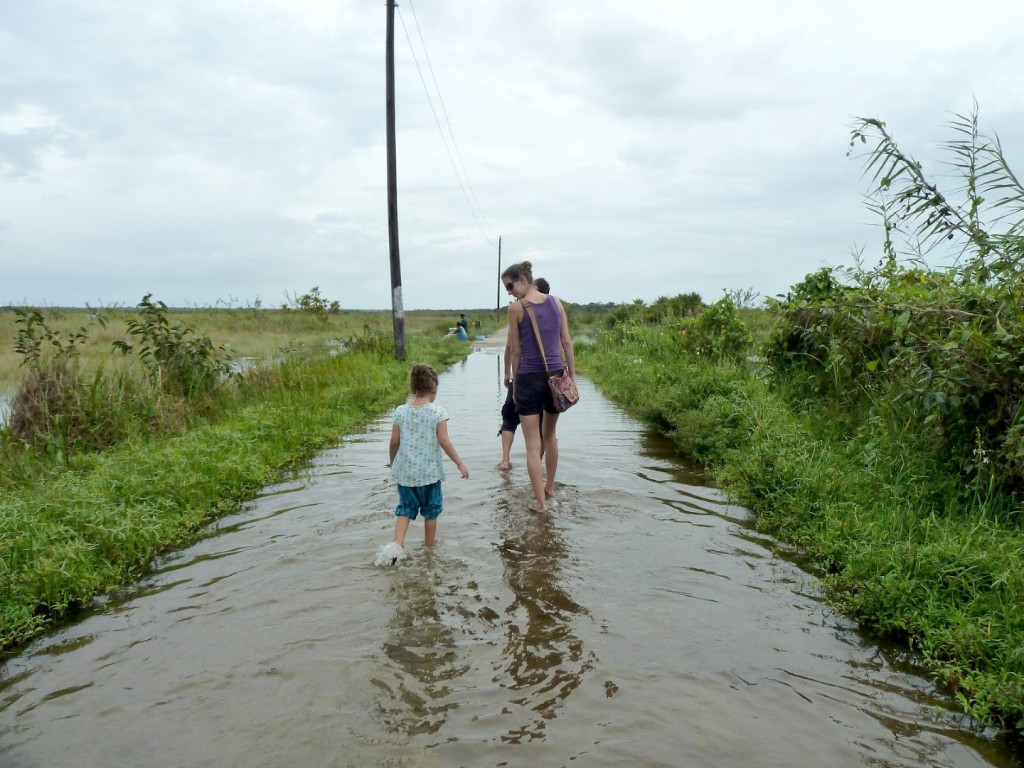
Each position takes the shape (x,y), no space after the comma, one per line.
(531,391)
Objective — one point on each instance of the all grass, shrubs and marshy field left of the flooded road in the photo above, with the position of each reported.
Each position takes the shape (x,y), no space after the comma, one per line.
(111,457)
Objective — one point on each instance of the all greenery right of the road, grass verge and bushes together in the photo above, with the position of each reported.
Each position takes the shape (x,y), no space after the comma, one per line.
(874,417)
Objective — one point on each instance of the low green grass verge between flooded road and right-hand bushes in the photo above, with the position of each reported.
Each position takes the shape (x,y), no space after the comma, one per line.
(902,542)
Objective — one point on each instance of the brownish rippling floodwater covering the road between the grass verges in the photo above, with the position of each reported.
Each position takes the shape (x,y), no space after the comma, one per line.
(645,624)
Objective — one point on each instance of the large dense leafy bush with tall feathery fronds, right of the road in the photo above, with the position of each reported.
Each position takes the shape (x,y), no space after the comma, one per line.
(940,351)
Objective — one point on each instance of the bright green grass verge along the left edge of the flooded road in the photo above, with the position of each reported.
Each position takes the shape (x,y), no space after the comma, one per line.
(74,530)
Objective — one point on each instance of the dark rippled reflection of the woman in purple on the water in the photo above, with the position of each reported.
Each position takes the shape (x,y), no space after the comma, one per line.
(543,660)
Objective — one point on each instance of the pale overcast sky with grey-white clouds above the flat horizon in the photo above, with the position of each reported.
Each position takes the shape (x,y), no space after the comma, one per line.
(229,152)
